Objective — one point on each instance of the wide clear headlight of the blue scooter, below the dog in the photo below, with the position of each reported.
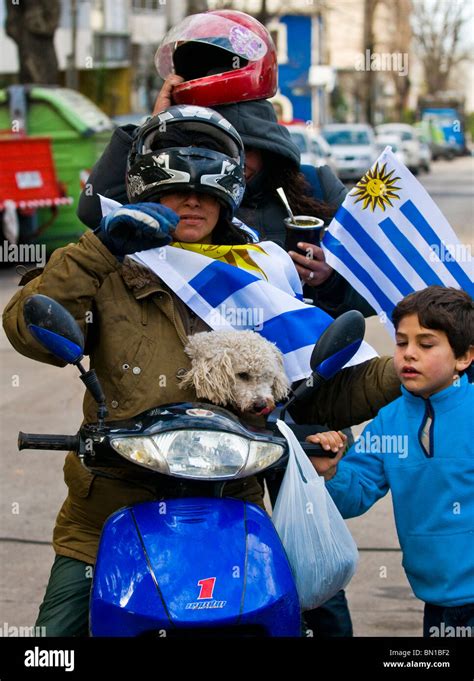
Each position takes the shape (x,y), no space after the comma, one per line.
(201,454)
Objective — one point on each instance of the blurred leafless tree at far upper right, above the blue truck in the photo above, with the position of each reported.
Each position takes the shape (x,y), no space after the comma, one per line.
(437,28)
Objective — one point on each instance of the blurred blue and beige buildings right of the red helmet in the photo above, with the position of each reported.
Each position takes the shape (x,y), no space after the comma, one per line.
(329,67)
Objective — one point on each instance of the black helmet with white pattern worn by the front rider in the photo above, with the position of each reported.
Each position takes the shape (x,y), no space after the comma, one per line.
(155,168)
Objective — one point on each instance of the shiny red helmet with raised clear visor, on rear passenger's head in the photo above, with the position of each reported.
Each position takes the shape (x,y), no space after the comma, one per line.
(224,56)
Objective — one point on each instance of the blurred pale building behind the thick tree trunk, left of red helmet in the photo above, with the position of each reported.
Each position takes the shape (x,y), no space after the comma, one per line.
(115,44)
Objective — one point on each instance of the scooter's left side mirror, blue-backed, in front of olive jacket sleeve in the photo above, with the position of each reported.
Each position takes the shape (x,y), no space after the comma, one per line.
(54,327)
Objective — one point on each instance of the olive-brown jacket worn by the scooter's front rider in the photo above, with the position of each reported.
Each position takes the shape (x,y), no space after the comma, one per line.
(135,331)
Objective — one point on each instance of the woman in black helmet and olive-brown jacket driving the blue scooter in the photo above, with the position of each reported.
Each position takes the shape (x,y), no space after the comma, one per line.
(136,329)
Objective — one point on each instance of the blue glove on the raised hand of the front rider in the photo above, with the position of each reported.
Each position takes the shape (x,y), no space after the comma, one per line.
(137,227)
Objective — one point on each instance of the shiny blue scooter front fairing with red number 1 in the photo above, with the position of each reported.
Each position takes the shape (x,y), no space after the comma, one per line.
(186,566)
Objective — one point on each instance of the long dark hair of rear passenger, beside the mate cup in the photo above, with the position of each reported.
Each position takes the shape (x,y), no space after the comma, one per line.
(280,172)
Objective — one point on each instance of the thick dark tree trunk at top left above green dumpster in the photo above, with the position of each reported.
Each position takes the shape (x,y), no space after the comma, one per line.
(32,24)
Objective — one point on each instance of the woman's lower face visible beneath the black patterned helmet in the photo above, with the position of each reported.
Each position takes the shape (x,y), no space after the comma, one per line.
(198,214)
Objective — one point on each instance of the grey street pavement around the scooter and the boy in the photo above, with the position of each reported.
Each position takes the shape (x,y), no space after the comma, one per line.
(39,398)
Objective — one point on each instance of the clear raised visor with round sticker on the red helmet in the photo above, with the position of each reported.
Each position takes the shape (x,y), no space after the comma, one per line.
(215,31)
